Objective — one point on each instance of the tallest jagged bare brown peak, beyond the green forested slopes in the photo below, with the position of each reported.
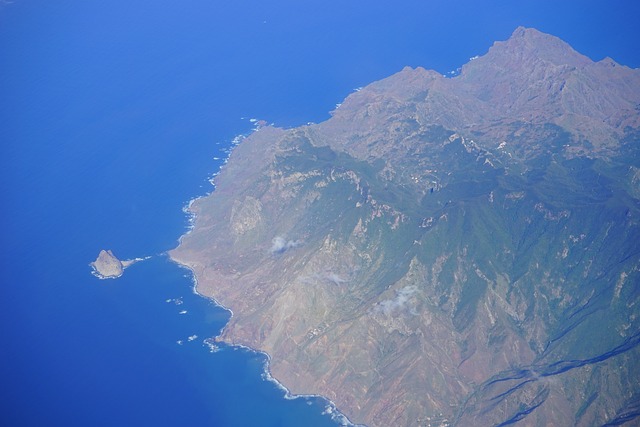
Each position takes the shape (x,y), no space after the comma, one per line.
(538,77)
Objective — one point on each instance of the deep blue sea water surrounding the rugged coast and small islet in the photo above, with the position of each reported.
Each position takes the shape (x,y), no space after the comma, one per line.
(111,114)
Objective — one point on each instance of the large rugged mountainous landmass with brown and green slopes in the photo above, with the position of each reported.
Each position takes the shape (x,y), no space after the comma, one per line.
(444,251)
